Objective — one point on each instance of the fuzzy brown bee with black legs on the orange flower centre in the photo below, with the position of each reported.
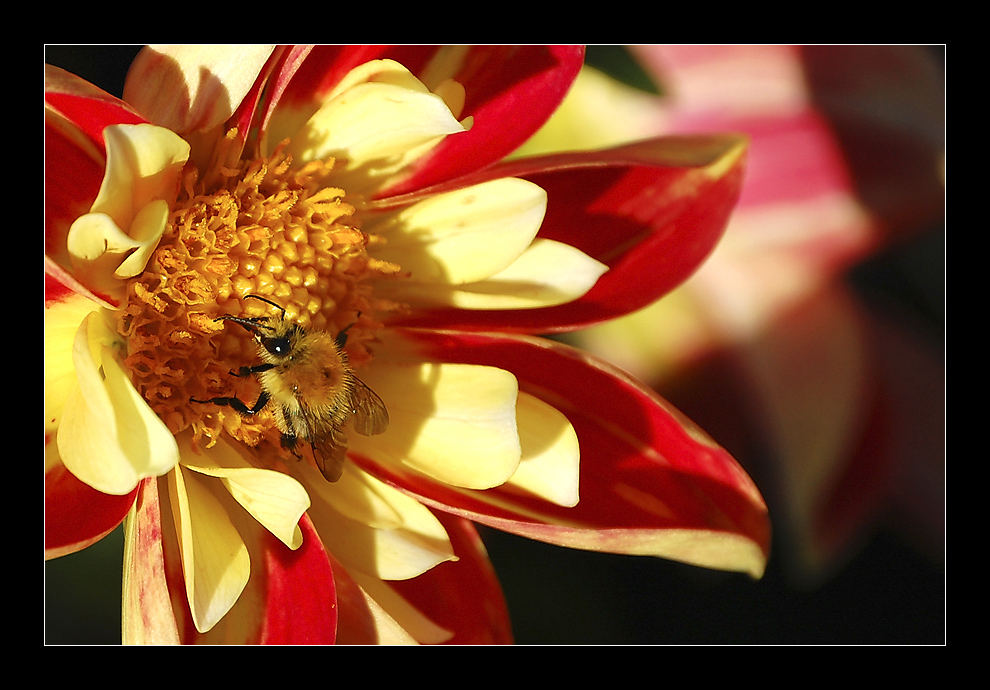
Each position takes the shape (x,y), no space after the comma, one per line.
(305,376)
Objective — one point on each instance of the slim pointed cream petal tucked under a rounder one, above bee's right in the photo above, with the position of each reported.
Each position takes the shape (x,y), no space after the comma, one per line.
(547,274)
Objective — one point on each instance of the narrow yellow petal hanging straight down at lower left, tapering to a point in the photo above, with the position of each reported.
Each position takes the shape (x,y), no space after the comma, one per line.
(215,561)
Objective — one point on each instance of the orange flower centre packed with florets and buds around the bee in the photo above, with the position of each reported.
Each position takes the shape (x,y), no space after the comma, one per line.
(248,227)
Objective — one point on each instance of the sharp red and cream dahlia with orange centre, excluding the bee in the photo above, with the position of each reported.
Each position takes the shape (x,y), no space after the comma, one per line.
(364,187)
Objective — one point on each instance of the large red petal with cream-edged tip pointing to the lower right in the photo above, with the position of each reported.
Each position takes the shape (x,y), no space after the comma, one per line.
(645,468)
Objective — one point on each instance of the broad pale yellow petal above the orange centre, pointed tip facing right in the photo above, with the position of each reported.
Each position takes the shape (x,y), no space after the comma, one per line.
(375,123)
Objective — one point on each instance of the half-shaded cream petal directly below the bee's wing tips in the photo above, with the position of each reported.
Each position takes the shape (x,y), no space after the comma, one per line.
(415,544)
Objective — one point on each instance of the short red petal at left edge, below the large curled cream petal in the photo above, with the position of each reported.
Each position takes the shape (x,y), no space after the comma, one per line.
(76,515)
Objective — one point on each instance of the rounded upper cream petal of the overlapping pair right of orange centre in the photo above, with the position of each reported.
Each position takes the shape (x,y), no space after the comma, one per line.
(462,236)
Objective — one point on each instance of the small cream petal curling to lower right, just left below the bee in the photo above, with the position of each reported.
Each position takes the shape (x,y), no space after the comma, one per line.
(274,499)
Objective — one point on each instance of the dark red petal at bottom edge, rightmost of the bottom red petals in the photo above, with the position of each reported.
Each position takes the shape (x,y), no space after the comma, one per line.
(463,596)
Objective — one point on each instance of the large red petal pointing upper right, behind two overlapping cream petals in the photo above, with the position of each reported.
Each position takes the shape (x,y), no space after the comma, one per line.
(652,211)
